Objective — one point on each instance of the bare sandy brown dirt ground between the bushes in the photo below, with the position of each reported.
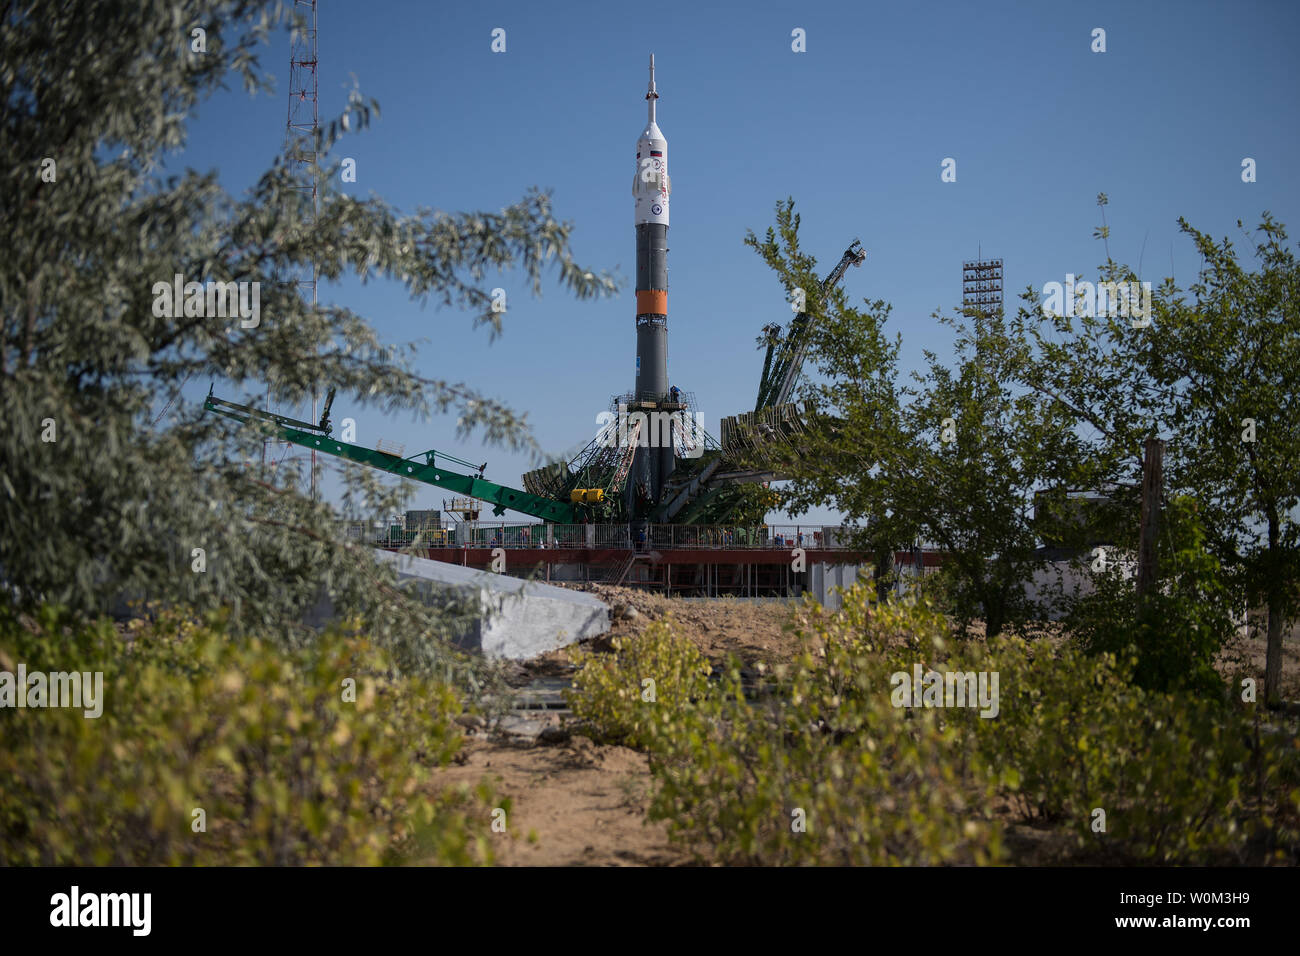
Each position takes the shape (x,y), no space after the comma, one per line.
(586,803)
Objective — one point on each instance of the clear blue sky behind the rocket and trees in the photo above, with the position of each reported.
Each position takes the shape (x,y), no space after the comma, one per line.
(855,129)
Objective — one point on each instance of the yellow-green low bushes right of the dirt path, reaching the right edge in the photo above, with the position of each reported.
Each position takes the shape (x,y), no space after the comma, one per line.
(820,745)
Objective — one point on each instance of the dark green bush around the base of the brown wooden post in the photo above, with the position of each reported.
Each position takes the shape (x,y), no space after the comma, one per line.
(1177,630)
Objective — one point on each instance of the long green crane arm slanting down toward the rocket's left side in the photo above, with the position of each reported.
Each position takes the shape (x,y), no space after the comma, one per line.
(431,471)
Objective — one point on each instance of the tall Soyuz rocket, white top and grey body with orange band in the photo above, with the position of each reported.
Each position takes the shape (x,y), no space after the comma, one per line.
(652,188)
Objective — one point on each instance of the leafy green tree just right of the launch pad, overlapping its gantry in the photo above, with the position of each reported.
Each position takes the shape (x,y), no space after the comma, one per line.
(954,458)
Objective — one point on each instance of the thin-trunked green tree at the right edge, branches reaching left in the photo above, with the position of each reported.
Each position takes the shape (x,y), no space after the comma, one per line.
(1212,371)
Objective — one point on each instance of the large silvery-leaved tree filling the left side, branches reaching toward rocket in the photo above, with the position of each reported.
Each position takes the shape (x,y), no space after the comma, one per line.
(111,482)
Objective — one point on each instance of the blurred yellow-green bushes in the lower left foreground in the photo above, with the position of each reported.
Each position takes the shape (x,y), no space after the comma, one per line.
(285,768)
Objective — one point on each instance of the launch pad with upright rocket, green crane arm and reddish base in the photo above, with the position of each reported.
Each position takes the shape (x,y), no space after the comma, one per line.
(653,499)
